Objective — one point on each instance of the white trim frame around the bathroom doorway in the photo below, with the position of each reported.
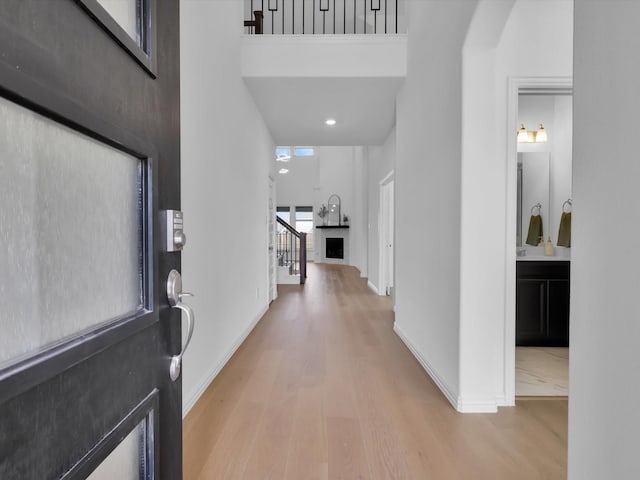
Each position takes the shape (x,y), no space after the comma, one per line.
(515,85)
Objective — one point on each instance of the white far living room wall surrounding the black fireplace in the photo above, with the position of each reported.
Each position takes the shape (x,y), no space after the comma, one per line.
(312,180)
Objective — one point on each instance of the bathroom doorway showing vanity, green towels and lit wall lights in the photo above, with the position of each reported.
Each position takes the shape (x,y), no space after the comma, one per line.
(539,266)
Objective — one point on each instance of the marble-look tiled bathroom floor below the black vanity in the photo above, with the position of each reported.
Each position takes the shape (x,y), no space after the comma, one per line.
(542,371)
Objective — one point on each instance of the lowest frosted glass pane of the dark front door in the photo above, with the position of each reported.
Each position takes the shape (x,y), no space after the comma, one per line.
(128,461)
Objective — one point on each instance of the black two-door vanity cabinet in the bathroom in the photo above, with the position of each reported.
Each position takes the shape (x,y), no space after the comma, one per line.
(542,303)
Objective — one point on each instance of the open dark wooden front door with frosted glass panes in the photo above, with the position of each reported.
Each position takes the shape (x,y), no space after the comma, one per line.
(89,161)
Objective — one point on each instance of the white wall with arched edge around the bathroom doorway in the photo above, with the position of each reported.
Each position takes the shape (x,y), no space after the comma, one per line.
(536,40)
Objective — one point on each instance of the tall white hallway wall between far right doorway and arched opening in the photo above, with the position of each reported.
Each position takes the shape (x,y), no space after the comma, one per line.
(428,189)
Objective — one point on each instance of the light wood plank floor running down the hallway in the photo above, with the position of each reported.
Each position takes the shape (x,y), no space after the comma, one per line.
(323,389)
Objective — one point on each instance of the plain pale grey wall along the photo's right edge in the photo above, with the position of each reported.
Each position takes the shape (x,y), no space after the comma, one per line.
(604,418)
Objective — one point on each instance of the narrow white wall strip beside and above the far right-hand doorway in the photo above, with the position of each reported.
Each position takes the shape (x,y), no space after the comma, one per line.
(381,162)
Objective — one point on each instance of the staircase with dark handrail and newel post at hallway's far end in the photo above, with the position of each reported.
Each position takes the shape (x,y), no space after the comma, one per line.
(291,254)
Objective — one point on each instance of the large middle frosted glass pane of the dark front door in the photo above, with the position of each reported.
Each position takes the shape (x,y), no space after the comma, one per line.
(70,232)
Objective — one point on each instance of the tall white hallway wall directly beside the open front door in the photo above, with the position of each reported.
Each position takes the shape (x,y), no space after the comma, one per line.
(226,155)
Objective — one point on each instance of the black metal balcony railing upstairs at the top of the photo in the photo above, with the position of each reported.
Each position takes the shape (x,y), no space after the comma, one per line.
(335,17)
